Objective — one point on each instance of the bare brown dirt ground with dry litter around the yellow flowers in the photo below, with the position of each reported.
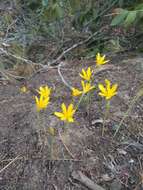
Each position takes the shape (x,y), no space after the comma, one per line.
(112,163)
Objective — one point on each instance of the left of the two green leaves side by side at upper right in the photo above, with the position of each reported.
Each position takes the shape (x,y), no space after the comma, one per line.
(119,19)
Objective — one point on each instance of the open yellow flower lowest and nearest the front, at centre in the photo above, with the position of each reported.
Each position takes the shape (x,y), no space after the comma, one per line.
(67,113)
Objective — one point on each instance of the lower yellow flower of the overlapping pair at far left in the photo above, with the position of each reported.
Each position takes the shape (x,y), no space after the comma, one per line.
(41,103)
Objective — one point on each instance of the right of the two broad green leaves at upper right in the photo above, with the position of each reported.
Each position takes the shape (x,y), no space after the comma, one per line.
(130,19)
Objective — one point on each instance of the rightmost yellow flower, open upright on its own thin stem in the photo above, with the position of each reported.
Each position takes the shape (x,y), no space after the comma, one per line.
(108,91)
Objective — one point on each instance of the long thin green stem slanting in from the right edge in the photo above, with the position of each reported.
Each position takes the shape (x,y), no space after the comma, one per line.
(137,96)
